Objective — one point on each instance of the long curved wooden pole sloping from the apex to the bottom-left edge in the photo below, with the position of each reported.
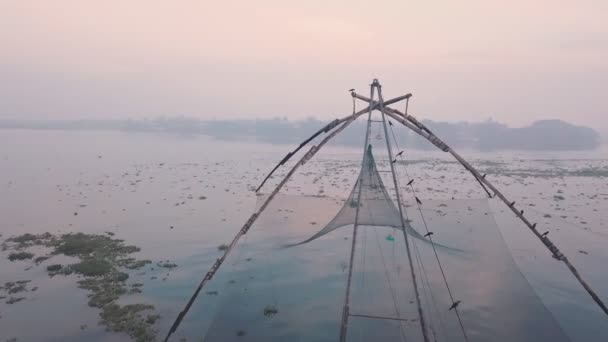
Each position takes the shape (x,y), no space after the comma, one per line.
(313,150)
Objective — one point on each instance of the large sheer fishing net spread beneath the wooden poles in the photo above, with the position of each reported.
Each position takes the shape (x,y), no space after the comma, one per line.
(286,280)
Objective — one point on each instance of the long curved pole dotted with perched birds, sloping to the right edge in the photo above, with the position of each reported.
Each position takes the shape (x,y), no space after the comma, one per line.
(418,127)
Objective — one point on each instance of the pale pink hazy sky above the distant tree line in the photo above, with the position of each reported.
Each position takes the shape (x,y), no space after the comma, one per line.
(515,61)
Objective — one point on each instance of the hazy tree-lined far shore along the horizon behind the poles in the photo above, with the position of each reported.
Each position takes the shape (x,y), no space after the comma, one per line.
(545,135)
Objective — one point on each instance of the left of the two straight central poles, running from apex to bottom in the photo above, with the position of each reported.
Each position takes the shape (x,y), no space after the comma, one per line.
(345,309)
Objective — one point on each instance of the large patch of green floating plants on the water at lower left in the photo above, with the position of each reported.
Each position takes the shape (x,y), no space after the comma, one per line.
(101,260)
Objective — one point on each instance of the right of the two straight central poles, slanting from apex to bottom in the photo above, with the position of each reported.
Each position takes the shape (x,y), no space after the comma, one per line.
(398,196)
